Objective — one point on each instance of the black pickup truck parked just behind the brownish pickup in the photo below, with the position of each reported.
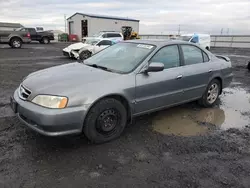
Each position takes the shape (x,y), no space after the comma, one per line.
(44,37)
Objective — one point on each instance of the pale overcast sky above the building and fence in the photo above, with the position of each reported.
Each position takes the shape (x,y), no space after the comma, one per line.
(156,16)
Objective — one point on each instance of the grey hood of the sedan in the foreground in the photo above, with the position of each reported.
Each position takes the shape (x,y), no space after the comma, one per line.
(66,80)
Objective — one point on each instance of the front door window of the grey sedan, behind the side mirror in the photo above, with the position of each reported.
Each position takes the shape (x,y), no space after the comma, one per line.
(169,56)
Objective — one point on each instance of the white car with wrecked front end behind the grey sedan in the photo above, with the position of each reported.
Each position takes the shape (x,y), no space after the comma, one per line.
(83,50)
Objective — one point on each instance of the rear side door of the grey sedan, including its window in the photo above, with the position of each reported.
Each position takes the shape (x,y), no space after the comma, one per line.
(196,71)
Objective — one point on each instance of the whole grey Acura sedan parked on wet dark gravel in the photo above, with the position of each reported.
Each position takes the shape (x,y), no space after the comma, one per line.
(99,96)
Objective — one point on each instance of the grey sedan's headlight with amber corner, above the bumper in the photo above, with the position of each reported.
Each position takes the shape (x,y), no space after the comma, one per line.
(50,101)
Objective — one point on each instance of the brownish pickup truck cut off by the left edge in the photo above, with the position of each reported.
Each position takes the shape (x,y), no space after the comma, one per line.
(14,38)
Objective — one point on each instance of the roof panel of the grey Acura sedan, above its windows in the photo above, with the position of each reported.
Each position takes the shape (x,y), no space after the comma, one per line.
(157,42)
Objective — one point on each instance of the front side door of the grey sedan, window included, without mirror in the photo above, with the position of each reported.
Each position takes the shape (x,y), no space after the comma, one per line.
(155,90)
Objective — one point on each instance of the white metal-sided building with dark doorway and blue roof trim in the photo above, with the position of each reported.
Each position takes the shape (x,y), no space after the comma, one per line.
(89,24)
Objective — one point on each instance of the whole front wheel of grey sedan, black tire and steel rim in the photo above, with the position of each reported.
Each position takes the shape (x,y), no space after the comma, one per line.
(105,121)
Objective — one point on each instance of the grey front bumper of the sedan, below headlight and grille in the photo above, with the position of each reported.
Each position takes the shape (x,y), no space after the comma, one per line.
(50,122)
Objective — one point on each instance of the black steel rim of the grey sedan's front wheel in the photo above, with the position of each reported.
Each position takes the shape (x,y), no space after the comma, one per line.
(107,121)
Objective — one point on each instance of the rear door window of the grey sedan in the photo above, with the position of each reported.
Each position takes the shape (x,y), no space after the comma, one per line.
(192,54)
